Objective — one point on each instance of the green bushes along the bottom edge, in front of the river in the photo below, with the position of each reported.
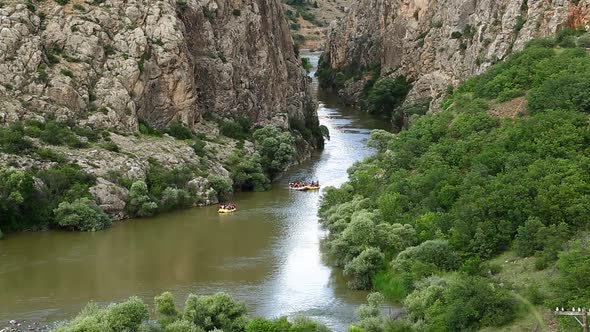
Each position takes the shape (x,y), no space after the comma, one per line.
(218,312)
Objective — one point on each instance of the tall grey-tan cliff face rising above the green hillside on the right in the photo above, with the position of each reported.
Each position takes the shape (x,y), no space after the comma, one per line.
(440,42)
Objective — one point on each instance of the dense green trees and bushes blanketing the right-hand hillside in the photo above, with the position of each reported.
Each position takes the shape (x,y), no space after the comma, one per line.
(462,186)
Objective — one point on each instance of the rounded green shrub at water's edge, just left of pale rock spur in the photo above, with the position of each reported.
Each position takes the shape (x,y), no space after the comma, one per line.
(82,214)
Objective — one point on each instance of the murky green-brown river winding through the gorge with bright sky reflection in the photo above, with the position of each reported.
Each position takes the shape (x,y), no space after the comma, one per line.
(267,254)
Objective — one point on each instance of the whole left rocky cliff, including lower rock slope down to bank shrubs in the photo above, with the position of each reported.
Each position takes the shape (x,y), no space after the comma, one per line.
(102,68)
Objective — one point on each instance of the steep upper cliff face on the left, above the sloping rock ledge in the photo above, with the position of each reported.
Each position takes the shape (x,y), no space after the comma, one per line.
(107,64)
